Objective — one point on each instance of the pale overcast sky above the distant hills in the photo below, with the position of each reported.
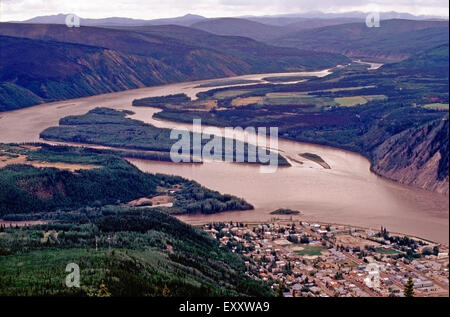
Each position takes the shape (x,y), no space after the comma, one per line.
(150,9)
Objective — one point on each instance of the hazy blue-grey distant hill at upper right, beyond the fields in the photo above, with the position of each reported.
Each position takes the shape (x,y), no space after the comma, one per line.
(395,40)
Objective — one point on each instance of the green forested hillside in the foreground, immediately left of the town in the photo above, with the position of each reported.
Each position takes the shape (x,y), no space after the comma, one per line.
(123,252)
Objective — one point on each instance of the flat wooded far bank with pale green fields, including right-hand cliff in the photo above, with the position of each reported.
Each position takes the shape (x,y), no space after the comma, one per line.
(357,108)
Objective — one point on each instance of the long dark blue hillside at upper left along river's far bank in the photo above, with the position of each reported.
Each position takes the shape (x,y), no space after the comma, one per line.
(90,60)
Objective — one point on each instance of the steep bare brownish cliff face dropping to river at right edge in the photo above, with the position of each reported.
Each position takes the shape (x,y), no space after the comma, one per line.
(418,157)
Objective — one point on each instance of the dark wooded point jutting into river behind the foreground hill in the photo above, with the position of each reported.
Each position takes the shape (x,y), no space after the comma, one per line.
(25,189)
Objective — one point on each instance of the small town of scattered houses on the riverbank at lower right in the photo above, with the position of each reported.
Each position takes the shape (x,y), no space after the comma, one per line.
(301,259)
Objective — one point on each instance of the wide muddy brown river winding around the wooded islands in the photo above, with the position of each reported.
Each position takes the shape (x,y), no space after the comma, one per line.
(348,193)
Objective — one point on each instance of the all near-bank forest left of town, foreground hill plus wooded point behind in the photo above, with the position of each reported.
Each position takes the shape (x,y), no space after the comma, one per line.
(121,250)
